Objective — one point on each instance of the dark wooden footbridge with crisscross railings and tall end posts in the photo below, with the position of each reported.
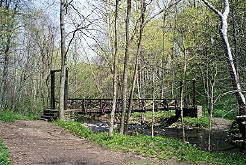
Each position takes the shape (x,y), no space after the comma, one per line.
(104,106)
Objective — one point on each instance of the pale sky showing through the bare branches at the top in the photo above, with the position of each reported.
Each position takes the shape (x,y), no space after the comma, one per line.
(85,7)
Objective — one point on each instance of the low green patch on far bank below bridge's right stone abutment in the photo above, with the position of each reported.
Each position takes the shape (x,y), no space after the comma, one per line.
(191,122)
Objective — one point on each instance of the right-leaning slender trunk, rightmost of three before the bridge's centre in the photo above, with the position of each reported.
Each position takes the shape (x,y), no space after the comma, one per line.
(139,49)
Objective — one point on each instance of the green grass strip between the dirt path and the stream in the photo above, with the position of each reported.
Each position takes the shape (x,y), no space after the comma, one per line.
(158,147)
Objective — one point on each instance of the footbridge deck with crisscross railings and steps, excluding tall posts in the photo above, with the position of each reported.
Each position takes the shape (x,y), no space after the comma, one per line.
(104,106)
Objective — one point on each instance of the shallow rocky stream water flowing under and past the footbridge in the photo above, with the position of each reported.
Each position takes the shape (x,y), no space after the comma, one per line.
(195,136)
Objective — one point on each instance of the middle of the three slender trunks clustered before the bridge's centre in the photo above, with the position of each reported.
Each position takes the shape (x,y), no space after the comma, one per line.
(125,72)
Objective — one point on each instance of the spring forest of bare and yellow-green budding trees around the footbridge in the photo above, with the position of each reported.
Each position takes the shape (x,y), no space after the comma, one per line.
(125,49)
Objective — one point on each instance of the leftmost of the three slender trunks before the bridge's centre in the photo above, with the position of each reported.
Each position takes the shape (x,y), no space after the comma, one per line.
(112,114)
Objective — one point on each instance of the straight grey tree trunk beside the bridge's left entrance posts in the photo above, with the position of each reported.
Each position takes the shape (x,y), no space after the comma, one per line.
(63,62)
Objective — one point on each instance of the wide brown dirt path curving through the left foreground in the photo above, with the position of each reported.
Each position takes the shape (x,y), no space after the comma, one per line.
(39,142)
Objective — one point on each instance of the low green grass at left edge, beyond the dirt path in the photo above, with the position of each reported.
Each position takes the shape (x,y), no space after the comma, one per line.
(10,117)
